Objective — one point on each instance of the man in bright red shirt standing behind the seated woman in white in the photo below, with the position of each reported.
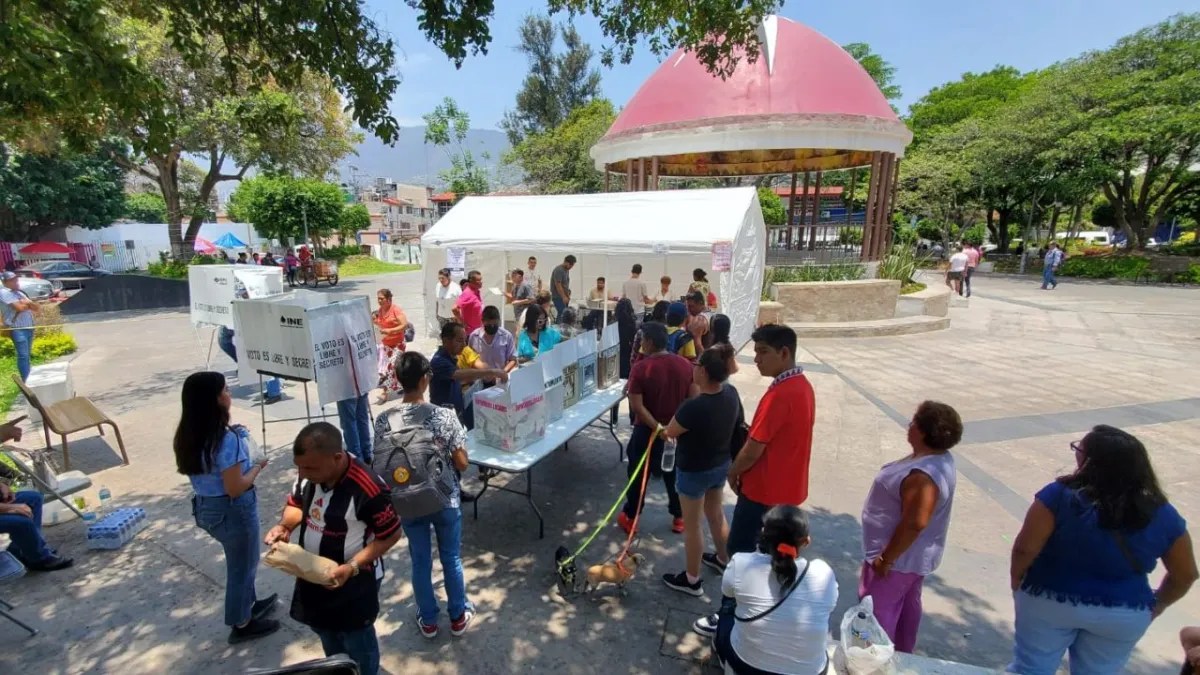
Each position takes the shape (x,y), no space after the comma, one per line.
(773,467)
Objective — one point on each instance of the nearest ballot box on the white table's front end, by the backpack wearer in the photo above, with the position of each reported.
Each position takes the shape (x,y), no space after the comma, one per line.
(512,416)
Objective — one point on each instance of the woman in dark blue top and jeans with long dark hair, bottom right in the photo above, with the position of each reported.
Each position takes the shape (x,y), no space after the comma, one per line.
(1081,565)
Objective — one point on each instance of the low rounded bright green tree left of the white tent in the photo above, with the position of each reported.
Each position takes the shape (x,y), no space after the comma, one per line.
(283,207)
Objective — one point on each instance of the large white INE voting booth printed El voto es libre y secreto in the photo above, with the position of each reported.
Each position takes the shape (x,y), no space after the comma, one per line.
(309,337)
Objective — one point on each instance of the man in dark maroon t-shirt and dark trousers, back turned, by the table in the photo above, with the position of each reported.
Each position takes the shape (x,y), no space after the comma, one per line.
(658,385)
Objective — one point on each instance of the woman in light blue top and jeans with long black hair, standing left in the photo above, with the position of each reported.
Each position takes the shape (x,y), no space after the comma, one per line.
(215,458)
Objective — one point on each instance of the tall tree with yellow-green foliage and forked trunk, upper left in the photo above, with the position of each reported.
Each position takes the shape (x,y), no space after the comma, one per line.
(231,124)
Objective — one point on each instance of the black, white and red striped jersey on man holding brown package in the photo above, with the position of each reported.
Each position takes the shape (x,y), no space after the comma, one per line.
(338,524)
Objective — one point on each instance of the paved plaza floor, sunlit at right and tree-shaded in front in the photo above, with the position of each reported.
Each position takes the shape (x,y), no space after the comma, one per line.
(1029,371)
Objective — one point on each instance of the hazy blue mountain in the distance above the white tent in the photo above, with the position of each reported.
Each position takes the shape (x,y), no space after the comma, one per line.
(411,160)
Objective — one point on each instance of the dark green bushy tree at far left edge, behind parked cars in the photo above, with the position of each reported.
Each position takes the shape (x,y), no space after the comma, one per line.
(41,193)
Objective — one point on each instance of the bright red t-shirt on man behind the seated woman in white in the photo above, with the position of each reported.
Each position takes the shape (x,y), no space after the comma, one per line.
(784,423)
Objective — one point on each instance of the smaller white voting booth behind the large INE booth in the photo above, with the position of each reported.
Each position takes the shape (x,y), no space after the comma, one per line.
(213,290)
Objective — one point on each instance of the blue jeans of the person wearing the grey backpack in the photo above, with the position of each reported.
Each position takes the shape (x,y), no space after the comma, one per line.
(448,527)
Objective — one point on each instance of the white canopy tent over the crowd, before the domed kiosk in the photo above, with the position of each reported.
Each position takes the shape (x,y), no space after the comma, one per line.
(669,232)
